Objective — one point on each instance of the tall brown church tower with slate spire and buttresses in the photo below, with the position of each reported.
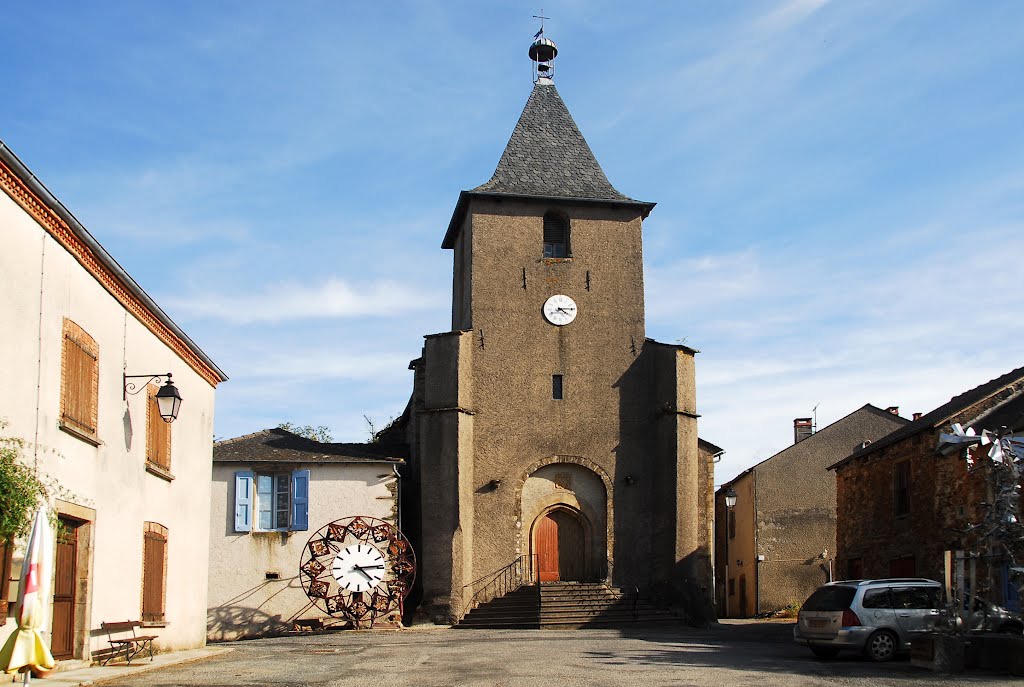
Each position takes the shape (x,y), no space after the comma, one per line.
(551,432)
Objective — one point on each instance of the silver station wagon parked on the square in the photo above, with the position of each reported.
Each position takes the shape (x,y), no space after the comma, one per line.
(876,617)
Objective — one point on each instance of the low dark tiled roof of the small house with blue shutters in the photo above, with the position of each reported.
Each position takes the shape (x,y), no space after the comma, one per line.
(279,446)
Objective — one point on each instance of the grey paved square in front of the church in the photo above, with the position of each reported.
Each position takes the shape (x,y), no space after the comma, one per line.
(733,654)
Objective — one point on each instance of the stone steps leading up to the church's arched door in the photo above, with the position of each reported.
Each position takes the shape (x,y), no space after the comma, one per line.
(566,606)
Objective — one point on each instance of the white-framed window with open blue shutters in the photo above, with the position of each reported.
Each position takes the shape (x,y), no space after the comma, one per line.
(272,501)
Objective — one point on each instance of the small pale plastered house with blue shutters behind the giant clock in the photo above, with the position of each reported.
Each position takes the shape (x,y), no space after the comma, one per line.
(272,491)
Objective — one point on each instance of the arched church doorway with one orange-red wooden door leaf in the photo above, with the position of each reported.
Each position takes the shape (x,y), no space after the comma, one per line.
(562,544)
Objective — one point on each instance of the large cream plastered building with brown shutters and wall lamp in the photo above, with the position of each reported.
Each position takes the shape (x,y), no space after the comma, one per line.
(135,495)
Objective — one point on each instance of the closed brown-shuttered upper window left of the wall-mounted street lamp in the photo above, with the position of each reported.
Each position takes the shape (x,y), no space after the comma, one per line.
(79,383)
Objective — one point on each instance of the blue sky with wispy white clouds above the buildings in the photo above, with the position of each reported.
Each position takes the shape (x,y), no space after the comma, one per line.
(840,185)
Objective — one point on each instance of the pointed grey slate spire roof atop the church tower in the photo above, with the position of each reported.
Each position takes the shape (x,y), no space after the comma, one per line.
(547,156)
